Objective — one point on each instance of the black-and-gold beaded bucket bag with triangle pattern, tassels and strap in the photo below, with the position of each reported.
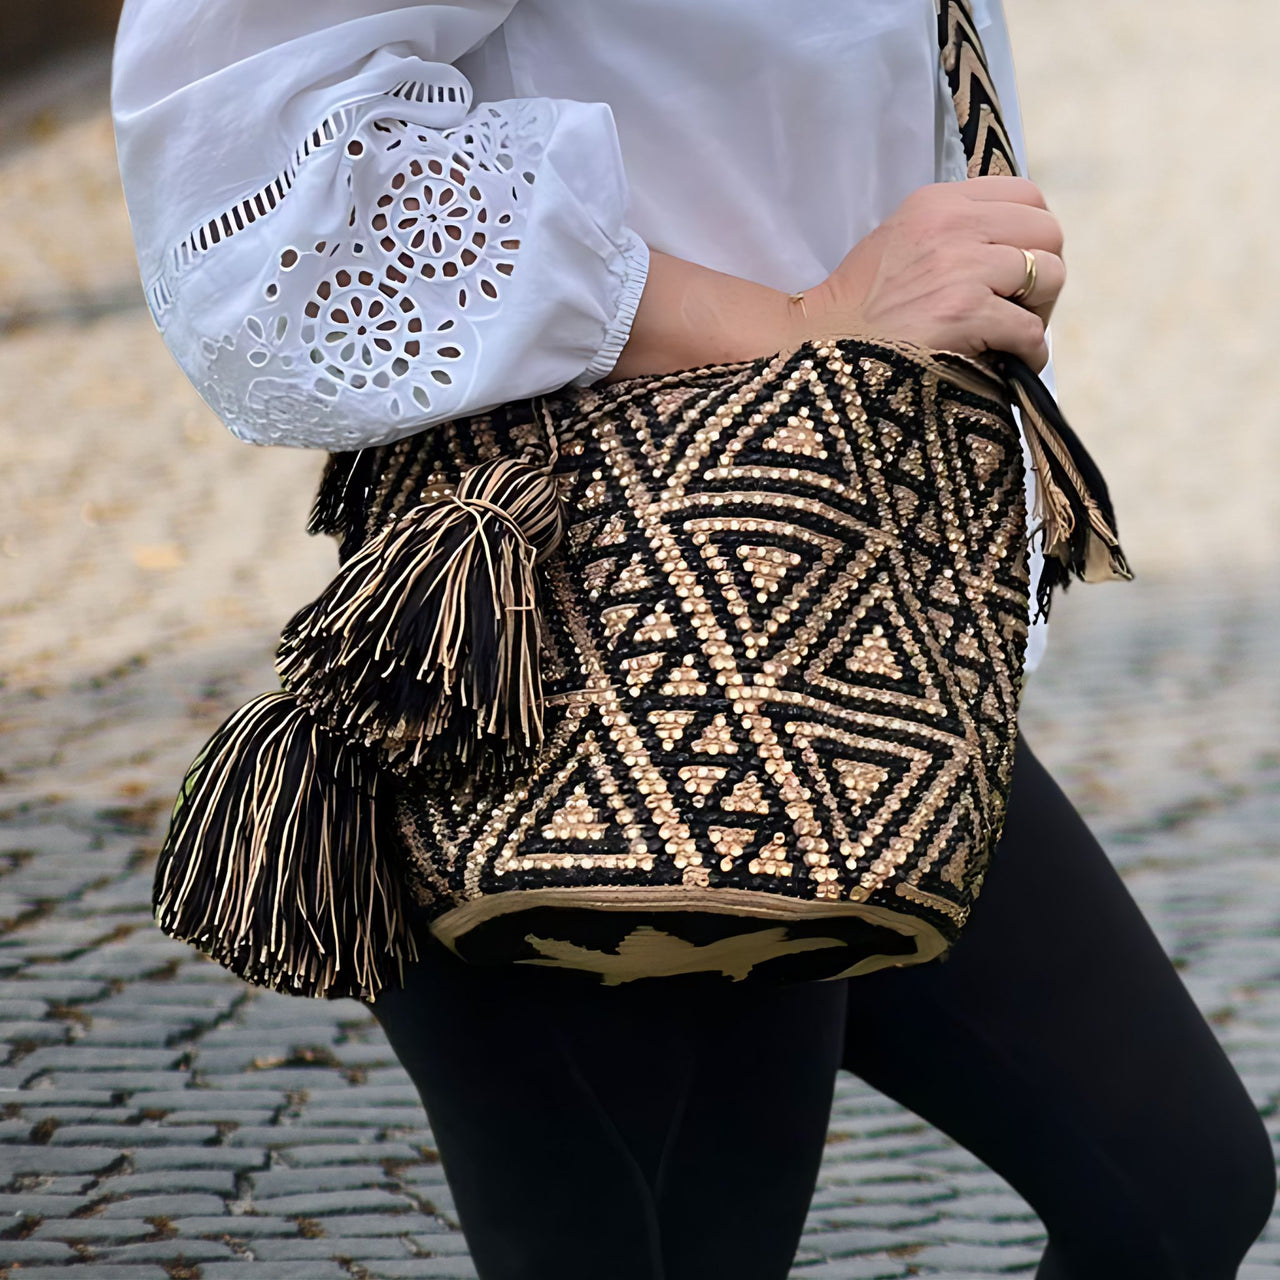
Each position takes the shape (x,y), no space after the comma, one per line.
(710,671)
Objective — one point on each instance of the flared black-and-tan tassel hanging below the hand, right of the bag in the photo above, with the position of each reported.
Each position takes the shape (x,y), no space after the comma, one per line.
(1073,505)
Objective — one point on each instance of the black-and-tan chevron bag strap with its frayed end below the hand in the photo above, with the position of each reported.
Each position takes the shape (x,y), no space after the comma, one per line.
(1073,508)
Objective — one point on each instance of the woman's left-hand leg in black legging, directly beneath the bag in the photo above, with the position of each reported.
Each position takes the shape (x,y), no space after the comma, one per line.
(662,1130)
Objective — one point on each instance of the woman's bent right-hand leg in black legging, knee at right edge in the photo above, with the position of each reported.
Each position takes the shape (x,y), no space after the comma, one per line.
(1059,1045)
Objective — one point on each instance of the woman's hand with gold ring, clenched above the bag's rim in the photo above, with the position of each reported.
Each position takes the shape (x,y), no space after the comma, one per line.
(938,272)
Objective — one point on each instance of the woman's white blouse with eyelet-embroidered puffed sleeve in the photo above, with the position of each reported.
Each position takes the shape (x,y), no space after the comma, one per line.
(356,218)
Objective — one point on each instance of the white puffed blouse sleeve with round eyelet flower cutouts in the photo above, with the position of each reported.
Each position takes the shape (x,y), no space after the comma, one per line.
(339,246)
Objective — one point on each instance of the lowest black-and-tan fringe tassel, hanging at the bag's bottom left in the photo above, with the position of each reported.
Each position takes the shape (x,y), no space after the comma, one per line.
(275,863)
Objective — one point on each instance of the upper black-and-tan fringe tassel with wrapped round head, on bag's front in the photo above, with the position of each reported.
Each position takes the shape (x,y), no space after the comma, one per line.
(428,642)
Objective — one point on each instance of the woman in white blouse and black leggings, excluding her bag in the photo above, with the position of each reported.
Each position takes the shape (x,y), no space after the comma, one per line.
(356,220)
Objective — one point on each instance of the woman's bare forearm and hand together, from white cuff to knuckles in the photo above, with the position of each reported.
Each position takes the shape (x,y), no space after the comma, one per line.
(936,273)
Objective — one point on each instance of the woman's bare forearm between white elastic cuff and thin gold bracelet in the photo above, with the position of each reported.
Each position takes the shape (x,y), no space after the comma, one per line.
(691,316)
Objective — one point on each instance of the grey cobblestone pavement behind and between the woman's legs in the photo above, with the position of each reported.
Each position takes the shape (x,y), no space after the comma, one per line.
(163,1121)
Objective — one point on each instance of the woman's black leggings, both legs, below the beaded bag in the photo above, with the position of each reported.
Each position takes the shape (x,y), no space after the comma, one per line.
(673,1130)
